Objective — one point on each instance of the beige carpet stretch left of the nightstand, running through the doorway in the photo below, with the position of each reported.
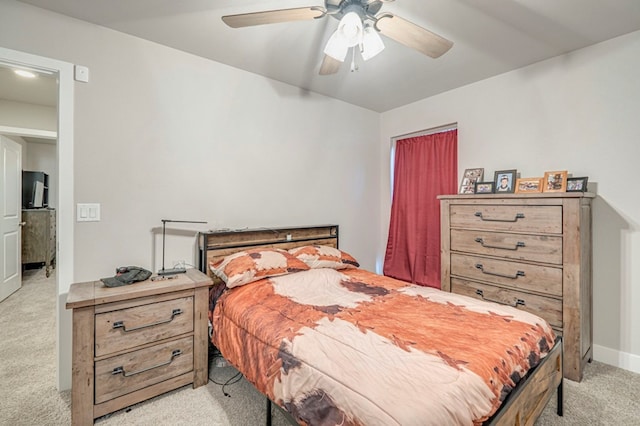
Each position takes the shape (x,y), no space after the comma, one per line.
(28,394)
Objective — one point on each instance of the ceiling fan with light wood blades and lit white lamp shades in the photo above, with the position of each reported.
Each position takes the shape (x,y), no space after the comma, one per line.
(359,26)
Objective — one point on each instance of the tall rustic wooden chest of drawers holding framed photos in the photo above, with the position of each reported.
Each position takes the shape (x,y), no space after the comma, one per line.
(531,251)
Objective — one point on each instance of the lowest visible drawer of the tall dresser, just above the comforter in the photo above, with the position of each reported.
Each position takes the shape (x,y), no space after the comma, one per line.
(546,307)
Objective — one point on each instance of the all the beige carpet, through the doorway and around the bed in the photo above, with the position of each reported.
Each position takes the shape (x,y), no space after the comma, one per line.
(606,396)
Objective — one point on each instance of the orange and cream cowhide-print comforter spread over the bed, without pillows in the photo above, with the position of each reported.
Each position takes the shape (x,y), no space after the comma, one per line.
(349,347)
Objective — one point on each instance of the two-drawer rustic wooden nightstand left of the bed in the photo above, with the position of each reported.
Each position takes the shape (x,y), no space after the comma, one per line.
(137,341)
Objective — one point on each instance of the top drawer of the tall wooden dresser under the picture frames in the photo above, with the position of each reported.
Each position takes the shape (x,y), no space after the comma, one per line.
(516,218)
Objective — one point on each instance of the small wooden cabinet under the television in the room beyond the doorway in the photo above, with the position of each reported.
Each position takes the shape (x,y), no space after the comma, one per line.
(39,237)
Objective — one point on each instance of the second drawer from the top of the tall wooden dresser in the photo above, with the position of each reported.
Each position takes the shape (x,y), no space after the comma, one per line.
(535,248)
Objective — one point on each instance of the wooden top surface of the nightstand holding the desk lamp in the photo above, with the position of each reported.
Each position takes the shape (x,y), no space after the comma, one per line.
(96,293)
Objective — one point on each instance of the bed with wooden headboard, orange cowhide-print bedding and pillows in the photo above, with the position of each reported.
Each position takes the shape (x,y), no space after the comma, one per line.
(332,343)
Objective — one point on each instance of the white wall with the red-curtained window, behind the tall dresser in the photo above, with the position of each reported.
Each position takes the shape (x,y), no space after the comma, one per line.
(578,112)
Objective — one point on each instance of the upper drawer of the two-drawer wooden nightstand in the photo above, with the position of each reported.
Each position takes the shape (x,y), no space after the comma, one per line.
(127,328)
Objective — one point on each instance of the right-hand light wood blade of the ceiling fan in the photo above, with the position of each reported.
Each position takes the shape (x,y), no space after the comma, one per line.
(411,35)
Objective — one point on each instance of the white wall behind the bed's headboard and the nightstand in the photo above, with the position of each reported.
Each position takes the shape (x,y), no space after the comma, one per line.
(163,134)
